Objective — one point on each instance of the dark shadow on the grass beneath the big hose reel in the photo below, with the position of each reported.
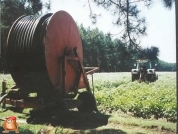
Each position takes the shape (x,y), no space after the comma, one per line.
(69,119)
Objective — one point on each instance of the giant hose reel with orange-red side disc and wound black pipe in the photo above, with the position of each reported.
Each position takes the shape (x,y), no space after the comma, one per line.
(36,46)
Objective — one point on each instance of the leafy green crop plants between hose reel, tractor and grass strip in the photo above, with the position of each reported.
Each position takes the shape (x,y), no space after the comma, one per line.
(116,92)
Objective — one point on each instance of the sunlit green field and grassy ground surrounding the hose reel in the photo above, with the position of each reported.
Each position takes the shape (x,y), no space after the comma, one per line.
(130,107)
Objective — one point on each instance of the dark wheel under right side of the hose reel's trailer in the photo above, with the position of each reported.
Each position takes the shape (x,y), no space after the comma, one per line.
(88,102)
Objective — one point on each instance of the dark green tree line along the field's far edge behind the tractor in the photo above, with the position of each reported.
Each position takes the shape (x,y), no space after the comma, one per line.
(112,55)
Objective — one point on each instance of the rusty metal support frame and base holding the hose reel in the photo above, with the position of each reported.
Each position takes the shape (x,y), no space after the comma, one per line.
(71,59)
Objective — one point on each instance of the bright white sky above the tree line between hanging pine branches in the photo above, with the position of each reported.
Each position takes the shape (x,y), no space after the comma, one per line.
(161,31)
